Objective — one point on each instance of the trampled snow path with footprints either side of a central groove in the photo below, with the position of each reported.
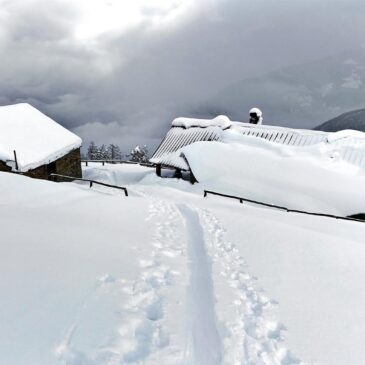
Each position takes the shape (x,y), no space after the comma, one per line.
(251,336)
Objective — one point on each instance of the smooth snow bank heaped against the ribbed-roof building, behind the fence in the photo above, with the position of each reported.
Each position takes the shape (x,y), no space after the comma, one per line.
(313,178)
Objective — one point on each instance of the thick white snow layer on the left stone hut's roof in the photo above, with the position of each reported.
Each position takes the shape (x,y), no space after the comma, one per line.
(36,138)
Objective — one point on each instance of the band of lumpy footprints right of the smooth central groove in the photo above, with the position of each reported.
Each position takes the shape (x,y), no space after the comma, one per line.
(253,336)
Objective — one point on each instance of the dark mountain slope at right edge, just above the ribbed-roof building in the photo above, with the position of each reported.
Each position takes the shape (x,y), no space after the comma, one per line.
(351,120)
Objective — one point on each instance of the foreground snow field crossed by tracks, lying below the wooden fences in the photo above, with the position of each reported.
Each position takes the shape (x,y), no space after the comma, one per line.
(165,276)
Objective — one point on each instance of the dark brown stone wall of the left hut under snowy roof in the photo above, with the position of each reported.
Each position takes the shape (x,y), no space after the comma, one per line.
(69,165)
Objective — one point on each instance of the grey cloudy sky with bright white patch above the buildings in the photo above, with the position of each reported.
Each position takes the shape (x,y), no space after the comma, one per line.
(119,70)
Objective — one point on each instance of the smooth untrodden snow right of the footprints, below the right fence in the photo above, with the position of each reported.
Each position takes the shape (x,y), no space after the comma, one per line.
(313,269)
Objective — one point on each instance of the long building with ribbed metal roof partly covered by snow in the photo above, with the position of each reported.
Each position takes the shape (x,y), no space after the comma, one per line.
(172,152)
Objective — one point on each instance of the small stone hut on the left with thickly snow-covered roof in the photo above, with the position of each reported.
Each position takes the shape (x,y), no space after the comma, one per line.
(33,144)
